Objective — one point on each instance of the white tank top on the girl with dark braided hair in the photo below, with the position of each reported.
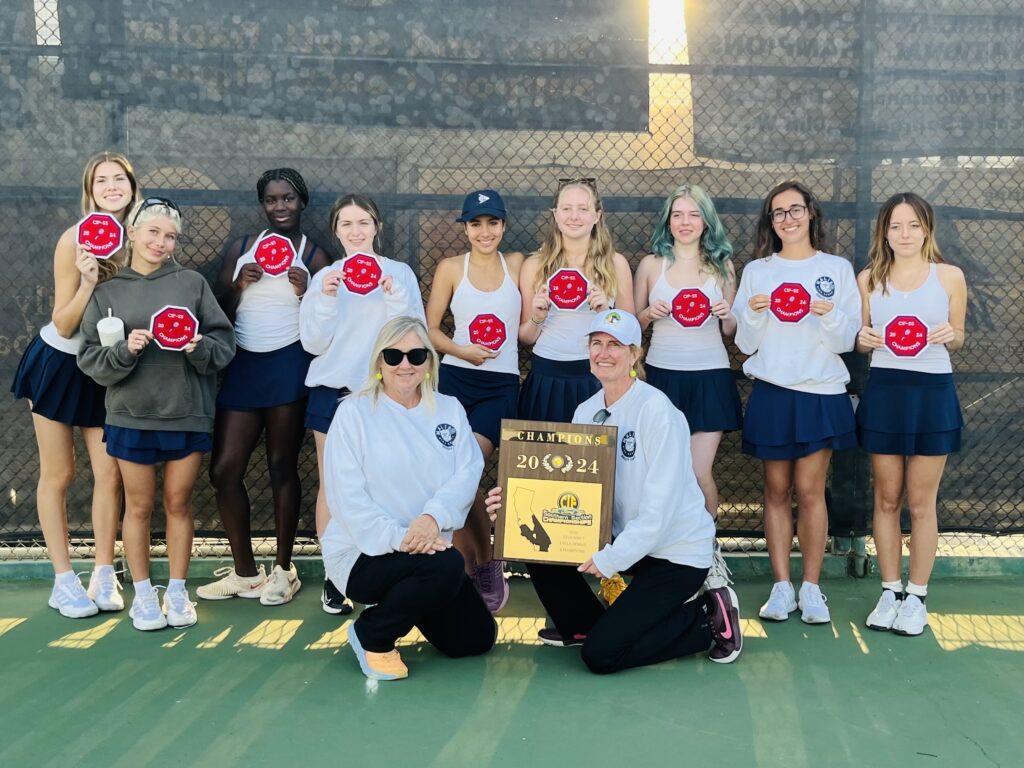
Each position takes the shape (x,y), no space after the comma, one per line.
(268,316)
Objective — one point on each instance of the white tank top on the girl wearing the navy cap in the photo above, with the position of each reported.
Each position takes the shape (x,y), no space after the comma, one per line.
(494,316)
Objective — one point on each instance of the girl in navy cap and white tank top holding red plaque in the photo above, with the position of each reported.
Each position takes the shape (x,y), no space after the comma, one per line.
(481,367)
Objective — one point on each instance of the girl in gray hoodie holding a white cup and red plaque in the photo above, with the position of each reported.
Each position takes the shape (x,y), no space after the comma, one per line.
(161,385)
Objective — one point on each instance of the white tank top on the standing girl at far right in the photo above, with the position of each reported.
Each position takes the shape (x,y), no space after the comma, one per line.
(904,319)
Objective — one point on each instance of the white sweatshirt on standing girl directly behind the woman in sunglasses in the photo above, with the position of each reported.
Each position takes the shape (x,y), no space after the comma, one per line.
(342,330)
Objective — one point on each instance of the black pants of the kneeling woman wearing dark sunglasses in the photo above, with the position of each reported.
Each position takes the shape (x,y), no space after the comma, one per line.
(430,592)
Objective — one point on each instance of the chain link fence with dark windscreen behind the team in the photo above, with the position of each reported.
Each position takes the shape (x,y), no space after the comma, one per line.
(417,103)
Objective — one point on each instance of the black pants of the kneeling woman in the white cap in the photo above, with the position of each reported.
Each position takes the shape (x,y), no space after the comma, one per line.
(650,623)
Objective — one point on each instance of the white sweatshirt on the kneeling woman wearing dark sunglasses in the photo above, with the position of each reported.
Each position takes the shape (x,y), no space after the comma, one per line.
(385,466)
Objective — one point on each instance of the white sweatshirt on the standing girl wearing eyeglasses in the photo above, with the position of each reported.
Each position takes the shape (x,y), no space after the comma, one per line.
(802,356)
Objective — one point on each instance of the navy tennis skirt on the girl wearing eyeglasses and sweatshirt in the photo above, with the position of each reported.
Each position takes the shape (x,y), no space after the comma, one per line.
(785,424)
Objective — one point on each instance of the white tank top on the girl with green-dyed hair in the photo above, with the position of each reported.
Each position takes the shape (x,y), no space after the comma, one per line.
(694,343)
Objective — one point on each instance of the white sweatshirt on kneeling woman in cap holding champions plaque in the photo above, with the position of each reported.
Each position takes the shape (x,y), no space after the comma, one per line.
(659,507)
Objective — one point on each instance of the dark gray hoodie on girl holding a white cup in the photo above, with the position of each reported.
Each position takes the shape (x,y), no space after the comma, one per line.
(159,390)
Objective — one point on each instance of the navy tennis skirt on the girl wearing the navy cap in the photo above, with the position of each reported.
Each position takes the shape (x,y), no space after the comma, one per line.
(488,397)
